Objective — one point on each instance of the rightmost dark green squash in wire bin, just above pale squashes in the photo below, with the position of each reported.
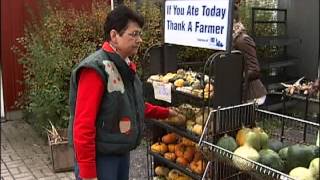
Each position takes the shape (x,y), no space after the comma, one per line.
(299,156)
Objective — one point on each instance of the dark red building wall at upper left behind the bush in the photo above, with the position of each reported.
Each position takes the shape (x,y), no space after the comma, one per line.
(14,16)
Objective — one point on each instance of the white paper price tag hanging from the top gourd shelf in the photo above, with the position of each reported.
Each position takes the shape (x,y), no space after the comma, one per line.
(162,91)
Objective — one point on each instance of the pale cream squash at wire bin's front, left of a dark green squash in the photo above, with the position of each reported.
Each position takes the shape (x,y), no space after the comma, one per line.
(245,152)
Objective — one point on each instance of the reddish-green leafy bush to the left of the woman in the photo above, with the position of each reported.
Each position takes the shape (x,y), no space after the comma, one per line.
(51,46)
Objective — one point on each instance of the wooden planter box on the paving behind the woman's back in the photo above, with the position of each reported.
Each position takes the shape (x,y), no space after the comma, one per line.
(61,152)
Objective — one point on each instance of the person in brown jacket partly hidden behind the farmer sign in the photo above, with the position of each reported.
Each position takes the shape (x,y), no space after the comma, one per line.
(253,88)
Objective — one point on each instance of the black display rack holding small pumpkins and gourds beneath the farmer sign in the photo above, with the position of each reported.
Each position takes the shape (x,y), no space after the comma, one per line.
(228,91)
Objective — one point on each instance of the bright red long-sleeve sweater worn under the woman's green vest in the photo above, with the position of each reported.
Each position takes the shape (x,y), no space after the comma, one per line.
(89,95)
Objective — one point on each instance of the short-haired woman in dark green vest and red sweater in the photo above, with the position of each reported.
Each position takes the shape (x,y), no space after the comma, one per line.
(107,104)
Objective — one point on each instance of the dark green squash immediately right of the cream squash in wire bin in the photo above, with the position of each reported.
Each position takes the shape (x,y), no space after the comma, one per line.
(270,158)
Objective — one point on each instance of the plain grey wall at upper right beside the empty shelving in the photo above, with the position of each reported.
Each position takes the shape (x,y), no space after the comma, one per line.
(303,22)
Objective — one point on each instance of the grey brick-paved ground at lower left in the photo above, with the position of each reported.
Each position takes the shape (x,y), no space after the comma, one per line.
(25,156)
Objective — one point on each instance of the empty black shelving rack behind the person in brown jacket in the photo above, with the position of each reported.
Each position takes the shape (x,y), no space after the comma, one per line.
(276,66)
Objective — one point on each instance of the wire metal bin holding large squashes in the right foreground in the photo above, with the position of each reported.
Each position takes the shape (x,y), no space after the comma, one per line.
(229,120)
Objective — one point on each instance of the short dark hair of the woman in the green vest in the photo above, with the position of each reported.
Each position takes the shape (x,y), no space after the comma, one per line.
(118,20)
